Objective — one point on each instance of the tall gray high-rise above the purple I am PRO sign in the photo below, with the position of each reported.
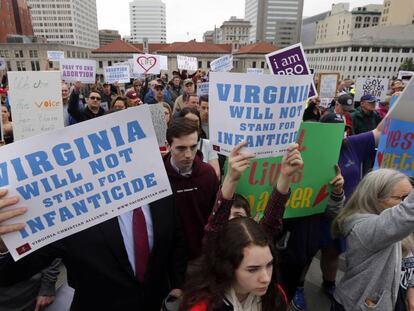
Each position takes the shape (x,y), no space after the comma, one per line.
(277,21)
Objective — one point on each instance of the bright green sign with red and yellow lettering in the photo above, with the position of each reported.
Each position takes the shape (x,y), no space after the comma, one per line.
(320,144)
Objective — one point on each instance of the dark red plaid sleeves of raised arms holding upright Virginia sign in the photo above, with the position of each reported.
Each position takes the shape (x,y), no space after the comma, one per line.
(271,221)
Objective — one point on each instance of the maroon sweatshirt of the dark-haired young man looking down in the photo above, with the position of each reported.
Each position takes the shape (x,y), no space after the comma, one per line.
(194,199)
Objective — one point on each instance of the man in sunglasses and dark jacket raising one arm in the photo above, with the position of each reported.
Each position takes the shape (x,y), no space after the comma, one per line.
(92,109)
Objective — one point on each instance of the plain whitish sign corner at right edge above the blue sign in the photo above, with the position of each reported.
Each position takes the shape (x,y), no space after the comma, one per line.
(403,107)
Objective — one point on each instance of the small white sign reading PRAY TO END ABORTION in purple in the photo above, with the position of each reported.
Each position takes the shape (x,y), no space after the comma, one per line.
(83,70)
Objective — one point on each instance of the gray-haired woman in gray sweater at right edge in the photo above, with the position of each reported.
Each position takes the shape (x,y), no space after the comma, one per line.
(377,222)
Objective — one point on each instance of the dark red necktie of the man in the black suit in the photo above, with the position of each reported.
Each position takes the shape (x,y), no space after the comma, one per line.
(141,245)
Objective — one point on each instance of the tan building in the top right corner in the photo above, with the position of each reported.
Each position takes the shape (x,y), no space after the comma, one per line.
(397,12)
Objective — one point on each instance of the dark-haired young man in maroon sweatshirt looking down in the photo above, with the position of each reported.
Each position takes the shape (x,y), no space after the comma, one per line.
(194,182)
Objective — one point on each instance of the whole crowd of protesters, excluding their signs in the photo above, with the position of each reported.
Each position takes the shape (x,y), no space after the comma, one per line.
(199,249)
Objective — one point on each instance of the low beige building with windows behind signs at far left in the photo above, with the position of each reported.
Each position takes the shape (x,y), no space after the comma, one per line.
(33,56)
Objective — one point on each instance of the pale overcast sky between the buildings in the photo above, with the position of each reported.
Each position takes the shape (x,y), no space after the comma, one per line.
(189,19)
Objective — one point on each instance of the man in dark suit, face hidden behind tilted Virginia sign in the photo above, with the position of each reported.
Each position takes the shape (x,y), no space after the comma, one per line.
(100,260)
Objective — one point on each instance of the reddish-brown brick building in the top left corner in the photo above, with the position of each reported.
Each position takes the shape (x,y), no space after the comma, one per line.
(14,19)
